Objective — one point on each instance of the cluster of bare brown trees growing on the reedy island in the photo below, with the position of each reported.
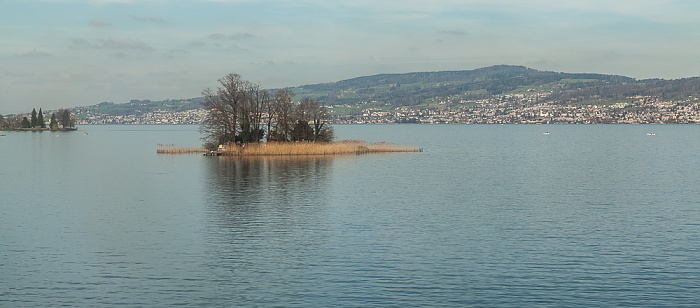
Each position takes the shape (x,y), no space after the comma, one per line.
(241,111)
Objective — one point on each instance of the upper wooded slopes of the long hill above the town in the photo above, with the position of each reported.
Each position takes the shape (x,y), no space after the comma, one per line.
(413,89)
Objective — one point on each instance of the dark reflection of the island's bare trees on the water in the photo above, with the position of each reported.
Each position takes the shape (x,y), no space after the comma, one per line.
(272,190)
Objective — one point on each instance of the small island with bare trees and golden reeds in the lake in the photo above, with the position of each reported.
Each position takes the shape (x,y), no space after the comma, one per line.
(243,120)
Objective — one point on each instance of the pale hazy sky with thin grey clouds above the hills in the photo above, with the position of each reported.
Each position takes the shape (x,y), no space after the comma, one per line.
(66,53)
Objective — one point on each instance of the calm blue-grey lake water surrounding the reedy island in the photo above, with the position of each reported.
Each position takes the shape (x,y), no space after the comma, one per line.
(485,216)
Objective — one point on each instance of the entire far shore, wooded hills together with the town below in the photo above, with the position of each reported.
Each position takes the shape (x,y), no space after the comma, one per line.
(500,94)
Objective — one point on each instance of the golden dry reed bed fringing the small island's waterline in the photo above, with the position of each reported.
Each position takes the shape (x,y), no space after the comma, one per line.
(295,148)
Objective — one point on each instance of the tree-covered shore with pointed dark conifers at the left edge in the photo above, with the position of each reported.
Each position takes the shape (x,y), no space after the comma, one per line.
(62,120)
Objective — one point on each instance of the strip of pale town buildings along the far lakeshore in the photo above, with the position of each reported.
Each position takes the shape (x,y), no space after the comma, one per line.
(507,109)
